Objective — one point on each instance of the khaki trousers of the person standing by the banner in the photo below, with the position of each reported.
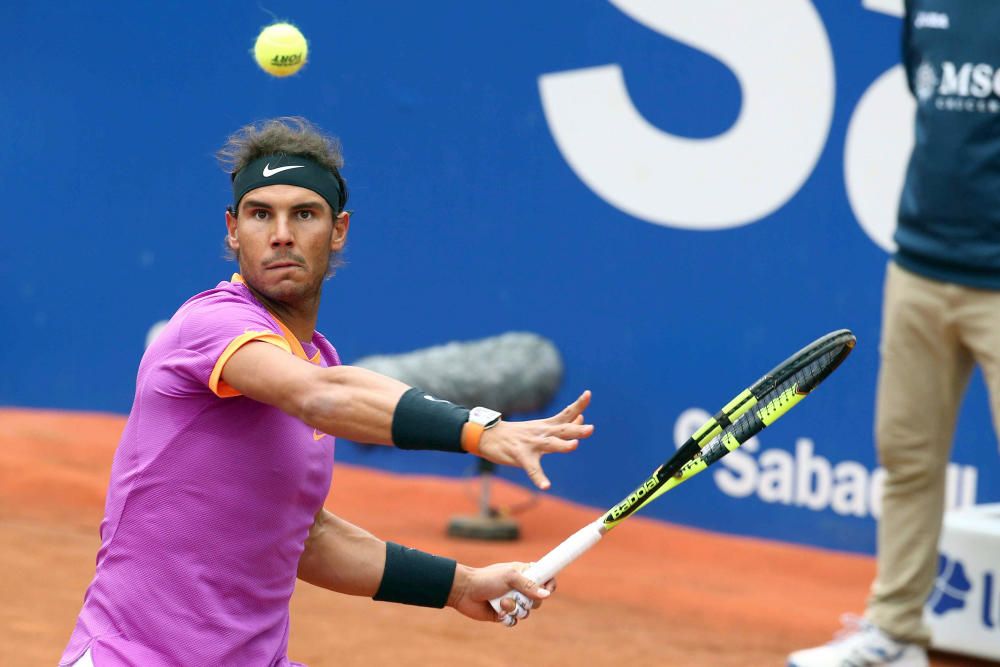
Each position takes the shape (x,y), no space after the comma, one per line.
(933,333)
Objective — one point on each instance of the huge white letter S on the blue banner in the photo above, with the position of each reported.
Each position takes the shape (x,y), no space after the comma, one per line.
(780,54)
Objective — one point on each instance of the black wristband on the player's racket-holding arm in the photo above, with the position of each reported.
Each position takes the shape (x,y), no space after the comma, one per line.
(415,577)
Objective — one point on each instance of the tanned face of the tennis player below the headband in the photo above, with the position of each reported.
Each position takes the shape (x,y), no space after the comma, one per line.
(283,236)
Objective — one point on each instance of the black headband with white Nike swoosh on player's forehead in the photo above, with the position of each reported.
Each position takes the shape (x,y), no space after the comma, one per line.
(284,169)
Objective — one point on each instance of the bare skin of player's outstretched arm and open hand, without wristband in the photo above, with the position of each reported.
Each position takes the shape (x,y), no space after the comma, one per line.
(358,404)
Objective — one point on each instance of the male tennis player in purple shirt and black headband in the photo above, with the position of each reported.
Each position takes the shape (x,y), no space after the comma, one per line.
(215,503)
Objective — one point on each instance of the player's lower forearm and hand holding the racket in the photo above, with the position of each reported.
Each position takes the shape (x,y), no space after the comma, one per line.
(345,558)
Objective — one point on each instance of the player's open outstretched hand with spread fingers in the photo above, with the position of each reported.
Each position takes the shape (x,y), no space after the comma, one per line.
(522,444)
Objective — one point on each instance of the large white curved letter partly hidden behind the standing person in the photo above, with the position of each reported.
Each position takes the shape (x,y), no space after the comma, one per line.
(878,146)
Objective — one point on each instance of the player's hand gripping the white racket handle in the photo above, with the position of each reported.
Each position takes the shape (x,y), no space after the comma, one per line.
(475,587)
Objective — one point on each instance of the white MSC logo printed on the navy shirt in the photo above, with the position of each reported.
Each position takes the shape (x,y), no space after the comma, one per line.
(968,87)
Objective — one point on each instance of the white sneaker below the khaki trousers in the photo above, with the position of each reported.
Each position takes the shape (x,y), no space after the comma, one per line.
(860,644)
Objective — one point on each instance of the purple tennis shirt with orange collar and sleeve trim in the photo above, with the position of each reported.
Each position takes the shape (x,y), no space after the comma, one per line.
(211,499)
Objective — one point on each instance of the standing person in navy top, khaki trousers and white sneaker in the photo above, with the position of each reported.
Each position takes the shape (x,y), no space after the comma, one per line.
(941,317)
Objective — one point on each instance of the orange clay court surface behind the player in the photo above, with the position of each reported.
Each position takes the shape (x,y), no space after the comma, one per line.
(654,592)
